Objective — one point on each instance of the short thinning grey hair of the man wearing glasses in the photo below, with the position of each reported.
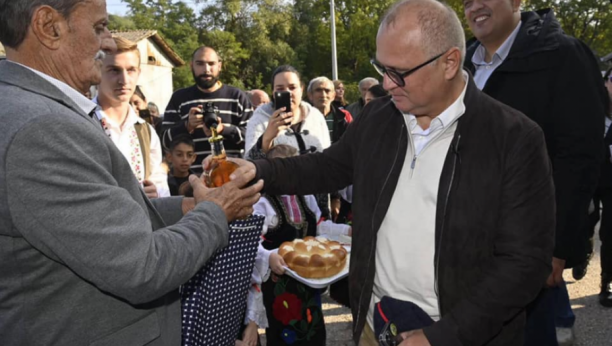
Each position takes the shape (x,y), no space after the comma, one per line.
(440,26)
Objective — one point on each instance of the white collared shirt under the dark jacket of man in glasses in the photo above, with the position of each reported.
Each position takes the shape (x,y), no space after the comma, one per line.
(405,246)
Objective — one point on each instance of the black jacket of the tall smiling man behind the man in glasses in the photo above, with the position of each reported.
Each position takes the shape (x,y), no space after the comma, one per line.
(554,79)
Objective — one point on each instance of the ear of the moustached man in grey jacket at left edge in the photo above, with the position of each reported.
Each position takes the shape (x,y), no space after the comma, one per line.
(49,26)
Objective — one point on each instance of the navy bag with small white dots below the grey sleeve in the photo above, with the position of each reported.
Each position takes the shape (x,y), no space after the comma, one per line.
(214,300)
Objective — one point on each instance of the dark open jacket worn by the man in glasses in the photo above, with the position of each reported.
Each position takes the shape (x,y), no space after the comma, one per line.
(494,219)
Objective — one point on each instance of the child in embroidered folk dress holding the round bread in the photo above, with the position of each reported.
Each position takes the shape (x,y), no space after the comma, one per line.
(293,314)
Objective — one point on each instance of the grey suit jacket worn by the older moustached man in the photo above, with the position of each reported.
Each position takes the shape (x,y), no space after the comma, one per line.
(85,257)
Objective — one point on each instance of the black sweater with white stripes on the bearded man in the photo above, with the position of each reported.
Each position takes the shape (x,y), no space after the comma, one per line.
(234,109)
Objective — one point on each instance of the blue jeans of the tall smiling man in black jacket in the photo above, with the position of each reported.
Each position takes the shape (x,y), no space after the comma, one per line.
(549,310)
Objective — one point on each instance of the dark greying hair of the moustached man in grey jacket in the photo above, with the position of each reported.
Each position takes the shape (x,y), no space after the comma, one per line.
(16,15)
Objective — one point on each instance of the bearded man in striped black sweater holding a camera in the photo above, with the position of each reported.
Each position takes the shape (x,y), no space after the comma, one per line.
(184,111)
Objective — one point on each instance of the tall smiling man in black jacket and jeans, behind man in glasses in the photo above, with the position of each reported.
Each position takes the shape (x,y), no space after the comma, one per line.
(526,61)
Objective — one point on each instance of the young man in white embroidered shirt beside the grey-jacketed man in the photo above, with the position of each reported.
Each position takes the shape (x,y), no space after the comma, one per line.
(135,138)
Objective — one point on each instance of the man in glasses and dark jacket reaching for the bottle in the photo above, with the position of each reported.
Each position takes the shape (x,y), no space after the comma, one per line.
(453,193)
